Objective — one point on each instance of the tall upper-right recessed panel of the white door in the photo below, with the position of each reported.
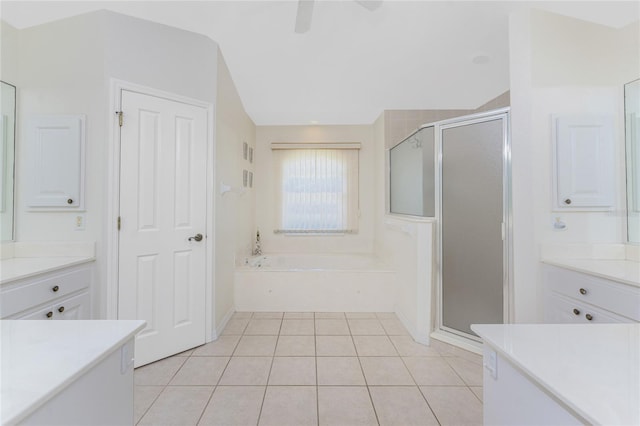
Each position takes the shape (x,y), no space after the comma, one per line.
(183,170)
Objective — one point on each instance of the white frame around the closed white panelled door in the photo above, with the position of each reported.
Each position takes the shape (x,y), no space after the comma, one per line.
(113,197)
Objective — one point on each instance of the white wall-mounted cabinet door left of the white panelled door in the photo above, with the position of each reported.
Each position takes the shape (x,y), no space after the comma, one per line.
(55,156)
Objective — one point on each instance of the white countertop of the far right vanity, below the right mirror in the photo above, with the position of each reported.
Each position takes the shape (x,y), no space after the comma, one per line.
(624,271)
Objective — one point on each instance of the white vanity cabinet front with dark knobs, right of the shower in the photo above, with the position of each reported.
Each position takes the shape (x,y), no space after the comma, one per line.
(578,298)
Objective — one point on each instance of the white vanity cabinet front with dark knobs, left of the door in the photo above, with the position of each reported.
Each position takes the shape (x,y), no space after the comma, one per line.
(59,295)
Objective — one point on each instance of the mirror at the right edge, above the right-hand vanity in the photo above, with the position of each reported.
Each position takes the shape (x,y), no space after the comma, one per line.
(632,137)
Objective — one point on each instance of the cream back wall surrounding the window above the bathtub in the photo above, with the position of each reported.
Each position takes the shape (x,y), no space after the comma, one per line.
(362,242)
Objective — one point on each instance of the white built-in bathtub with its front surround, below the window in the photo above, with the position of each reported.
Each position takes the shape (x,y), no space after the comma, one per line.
(310,282)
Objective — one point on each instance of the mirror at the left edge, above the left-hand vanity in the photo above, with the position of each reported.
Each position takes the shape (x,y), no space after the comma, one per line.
(7,132)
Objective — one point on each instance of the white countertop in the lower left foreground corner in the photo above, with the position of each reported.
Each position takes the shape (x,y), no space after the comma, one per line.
(38,359)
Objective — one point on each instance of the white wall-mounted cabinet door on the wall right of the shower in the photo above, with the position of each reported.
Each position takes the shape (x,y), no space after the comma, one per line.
(583,163)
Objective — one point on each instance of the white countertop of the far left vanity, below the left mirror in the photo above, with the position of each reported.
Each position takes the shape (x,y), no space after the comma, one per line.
(24,267)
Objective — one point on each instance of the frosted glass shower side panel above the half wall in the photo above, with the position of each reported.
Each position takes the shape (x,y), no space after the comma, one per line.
(412,175)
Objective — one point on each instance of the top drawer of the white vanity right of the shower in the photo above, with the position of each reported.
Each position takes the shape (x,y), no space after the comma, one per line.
(611,296)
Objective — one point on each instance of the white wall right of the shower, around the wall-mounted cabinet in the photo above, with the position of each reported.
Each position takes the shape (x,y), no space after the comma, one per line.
(560,65)
